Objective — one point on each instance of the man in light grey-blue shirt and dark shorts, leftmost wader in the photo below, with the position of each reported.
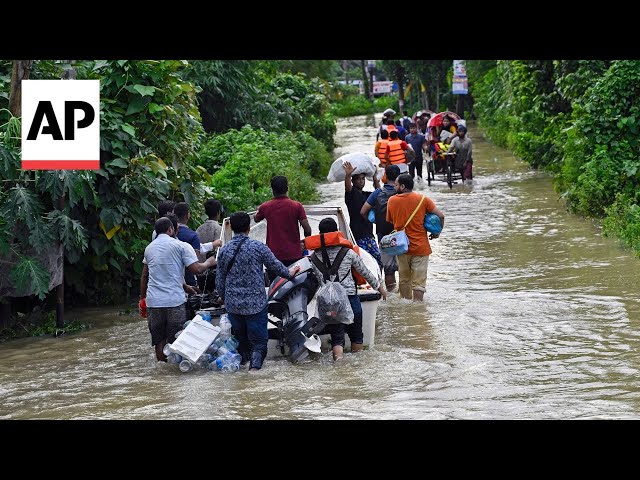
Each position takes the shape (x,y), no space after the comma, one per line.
(161,283)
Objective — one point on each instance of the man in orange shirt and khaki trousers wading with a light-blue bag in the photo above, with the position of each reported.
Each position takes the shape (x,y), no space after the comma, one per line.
(412,266)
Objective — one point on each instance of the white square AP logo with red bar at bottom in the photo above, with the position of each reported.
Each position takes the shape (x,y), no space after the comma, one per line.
(60,124)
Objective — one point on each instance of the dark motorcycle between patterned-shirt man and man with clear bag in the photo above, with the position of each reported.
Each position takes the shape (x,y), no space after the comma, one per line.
(288,300)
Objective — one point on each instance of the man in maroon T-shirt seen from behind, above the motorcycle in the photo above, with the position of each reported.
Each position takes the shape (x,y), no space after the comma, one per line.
(283,215)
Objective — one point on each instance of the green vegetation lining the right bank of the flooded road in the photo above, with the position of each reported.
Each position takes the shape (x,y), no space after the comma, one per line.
(579,119)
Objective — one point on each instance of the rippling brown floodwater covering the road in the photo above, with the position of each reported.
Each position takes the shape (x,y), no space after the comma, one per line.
(529,314)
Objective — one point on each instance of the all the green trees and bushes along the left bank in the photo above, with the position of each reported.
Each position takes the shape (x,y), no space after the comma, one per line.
(167,131)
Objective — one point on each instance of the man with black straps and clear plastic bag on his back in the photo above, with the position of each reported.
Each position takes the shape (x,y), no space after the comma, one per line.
(345,279)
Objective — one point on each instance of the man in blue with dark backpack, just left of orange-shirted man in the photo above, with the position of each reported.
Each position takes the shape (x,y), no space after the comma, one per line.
(378,201)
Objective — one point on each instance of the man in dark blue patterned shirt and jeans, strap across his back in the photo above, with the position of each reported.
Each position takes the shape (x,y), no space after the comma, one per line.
(240,283)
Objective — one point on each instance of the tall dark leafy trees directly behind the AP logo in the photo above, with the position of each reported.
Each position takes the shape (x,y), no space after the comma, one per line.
(150,131)
